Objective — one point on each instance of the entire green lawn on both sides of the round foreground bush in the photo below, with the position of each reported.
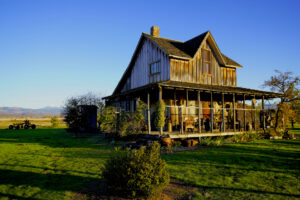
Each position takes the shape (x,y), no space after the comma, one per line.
(51,164)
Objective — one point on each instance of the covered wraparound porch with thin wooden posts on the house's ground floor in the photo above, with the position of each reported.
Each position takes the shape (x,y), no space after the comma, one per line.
(202,109)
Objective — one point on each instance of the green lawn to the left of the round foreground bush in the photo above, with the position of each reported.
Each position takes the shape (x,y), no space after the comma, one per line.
(47,163)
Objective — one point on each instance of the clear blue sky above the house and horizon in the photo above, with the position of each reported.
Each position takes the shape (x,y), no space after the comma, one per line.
(54,49)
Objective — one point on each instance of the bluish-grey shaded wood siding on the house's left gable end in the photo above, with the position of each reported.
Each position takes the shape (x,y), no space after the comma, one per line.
(140,73)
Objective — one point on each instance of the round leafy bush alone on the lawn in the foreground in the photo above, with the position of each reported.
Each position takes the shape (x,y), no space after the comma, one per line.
(137,173)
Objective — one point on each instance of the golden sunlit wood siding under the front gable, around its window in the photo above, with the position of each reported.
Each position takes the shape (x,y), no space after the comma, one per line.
(193,70)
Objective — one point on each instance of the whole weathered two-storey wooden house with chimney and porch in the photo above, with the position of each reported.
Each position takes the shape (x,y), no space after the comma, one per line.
(197,82)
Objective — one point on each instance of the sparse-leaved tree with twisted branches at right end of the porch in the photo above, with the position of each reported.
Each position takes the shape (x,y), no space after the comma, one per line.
(285,84)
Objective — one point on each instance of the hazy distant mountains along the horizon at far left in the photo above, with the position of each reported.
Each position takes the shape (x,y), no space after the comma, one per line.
(29,112)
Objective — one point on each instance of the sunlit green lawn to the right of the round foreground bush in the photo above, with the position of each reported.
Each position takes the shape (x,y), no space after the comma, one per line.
(265,169)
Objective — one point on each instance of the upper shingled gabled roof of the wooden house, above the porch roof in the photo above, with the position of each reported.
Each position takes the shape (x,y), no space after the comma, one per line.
(177,49)
